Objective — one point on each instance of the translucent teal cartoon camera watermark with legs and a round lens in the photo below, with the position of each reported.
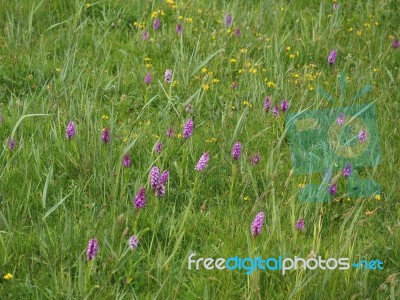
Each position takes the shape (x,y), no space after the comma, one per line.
(325,141)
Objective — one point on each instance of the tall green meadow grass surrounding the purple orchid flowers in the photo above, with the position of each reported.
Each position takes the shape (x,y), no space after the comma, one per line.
(65,60)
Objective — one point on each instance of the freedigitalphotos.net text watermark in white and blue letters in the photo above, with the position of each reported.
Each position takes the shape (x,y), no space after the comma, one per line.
(249,265)
